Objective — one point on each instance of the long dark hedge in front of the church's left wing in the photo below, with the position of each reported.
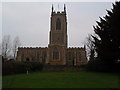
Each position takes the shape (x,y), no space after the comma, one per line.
(13,67)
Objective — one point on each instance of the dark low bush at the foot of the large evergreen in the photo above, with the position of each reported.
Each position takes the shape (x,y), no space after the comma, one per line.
(98,66)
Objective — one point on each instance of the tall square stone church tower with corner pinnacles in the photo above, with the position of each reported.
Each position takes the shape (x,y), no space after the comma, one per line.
(58,37)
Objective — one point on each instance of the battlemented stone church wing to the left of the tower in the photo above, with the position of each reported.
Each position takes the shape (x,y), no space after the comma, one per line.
(32,54)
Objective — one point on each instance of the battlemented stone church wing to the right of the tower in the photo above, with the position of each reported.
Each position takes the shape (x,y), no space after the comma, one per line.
(76,56)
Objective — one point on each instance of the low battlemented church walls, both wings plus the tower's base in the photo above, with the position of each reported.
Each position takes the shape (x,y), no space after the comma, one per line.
(69,56)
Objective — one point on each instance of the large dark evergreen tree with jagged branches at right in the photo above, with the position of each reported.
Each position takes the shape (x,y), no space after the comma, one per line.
(107,42)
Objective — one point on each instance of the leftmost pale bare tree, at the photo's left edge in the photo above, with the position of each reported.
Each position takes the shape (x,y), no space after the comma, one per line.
(6,46)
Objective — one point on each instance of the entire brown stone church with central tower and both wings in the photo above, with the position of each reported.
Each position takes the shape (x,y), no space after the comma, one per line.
(57,52)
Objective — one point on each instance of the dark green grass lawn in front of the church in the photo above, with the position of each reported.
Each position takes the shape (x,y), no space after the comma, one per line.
(62,80)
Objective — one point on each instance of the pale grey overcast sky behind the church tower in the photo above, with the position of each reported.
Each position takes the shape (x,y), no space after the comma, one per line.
(31,20)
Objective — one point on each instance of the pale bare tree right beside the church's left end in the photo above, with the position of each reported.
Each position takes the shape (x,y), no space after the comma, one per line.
(16,44)
